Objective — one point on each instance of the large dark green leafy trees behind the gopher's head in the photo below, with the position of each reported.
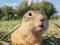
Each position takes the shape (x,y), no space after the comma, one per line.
(10,13)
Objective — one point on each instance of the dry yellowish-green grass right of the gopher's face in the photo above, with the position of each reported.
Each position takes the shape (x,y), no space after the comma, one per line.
(53,29)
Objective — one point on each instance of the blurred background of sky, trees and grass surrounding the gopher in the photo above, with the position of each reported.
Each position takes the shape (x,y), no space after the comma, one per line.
(12,11)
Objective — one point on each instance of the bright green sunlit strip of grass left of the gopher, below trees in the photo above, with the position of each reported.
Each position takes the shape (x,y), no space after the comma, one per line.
(8,25)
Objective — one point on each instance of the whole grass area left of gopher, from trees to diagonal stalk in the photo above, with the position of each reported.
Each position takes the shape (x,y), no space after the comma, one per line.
(6,27)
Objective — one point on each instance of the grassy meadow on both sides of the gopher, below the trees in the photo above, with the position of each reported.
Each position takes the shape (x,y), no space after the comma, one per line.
(51,37)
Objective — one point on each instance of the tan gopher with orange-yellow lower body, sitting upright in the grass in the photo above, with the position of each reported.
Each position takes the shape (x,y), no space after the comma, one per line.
(31,29)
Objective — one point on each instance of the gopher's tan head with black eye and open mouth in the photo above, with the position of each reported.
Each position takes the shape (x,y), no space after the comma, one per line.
(35,19)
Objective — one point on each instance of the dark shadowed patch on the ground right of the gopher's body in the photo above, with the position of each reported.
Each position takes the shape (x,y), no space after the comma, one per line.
(51,41)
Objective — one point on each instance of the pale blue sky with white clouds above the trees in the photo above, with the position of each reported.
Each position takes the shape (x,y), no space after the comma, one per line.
(14,3)
